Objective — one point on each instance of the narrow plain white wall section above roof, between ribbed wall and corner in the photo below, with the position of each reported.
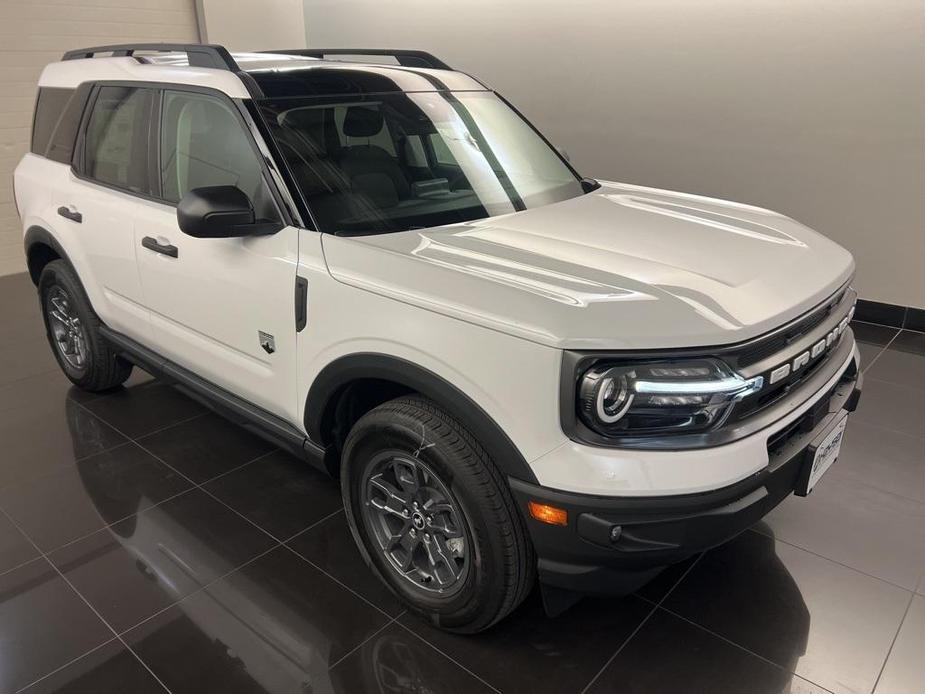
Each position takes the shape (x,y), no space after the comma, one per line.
(252,25)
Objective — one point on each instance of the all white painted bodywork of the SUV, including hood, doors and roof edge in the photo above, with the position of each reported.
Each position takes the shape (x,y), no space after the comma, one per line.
(488,306)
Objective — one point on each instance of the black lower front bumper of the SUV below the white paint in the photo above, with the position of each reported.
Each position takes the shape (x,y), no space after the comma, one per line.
(613,545)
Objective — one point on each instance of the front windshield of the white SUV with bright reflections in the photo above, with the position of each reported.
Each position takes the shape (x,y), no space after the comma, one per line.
(392,162)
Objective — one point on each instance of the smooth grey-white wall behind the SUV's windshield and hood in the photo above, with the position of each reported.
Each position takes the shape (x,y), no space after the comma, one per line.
(812,108)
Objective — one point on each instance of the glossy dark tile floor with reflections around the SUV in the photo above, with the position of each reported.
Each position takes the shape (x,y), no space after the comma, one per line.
(148,544)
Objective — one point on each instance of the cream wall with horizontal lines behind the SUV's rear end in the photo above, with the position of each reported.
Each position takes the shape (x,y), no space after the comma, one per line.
(34,33)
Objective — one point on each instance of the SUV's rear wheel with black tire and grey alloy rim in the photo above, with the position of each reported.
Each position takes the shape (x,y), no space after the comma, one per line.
(73,331)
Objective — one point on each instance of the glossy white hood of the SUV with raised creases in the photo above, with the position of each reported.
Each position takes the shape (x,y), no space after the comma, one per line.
(623,267)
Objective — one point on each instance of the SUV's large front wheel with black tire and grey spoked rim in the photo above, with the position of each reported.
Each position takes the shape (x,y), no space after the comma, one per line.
(486,565)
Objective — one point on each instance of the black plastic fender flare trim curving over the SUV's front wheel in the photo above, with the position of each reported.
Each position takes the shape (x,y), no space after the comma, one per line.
(370,365)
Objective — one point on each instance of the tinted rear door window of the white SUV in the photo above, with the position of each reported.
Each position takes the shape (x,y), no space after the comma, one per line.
(117,138)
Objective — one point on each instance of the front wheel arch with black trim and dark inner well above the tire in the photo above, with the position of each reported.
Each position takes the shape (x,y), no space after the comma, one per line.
(387,377)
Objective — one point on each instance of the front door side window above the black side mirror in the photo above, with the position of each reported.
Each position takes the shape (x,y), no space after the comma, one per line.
(204,143)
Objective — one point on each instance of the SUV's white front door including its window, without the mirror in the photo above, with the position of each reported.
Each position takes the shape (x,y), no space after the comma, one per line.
(222,308)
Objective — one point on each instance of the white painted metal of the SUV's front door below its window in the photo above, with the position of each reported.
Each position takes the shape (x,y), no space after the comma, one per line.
(208,304)
